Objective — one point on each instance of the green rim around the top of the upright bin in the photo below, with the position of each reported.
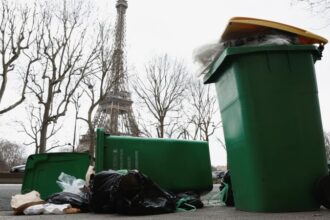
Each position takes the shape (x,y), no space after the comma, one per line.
(229,53)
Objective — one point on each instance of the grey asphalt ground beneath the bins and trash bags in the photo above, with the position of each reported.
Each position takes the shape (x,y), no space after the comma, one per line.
(213,210)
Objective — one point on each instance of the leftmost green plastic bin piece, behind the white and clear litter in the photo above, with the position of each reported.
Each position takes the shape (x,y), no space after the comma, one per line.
(42,171)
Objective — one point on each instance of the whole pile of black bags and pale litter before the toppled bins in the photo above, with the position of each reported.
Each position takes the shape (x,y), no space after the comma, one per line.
(127,192)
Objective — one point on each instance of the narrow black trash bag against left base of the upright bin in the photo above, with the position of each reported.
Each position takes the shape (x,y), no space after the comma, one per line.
(226,192)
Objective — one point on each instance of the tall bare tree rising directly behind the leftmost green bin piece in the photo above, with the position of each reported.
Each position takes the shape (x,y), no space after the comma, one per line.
(65,61)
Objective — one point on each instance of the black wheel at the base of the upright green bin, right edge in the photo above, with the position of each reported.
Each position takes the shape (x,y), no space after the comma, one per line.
(323,191)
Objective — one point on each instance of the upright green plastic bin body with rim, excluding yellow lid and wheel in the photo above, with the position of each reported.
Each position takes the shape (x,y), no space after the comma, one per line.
(272,125)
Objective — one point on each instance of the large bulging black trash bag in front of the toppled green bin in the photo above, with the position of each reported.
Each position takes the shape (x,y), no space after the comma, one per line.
(132,193)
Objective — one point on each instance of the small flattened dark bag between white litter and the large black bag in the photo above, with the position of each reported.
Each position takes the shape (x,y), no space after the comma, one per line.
(76,201)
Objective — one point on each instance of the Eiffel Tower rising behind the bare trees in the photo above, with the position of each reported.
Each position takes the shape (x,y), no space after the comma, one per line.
(115,113)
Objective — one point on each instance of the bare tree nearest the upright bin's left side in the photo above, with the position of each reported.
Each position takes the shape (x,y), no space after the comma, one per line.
(201,112)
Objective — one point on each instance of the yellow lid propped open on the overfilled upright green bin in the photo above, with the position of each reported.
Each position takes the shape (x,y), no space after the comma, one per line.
(239,27)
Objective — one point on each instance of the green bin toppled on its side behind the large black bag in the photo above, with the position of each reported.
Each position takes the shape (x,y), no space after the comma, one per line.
(175,165)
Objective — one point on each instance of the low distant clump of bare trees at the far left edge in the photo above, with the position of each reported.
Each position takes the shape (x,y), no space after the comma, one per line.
(11,153)
